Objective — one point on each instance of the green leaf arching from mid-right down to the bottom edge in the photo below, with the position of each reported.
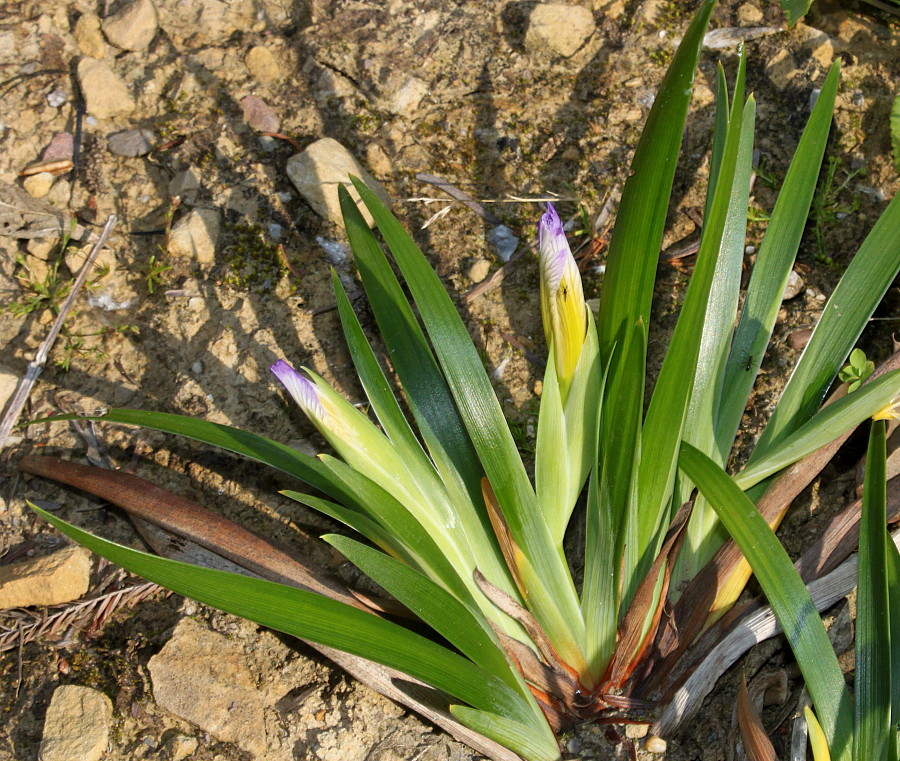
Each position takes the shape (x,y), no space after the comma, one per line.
(786,594)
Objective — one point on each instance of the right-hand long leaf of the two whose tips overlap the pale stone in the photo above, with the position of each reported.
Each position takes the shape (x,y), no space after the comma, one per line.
(552,595)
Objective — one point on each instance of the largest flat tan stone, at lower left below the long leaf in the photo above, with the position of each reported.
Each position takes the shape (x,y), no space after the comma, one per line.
(204,678)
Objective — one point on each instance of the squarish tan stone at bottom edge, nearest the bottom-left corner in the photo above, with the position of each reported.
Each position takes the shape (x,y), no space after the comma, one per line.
(77,725)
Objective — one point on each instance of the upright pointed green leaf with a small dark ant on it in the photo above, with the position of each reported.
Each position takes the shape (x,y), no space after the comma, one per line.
(773,266)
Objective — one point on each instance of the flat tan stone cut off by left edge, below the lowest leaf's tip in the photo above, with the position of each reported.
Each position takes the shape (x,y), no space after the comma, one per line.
(61,577)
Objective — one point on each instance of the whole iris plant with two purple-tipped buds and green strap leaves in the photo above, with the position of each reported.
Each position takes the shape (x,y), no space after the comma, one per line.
(450,523)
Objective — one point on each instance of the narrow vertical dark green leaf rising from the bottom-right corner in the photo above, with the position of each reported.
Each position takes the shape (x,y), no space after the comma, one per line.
(873,629)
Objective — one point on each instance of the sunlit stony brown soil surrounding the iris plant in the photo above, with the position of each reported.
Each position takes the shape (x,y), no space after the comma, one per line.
(208,128)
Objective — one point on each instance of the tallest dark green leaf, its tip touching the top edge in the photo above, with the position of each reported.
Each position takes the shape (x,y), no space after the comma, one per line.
(634,248)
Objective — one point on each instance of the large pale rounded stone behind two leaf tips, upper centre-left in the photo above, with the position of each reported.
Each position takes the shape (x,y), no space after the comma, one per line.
(317,172)
